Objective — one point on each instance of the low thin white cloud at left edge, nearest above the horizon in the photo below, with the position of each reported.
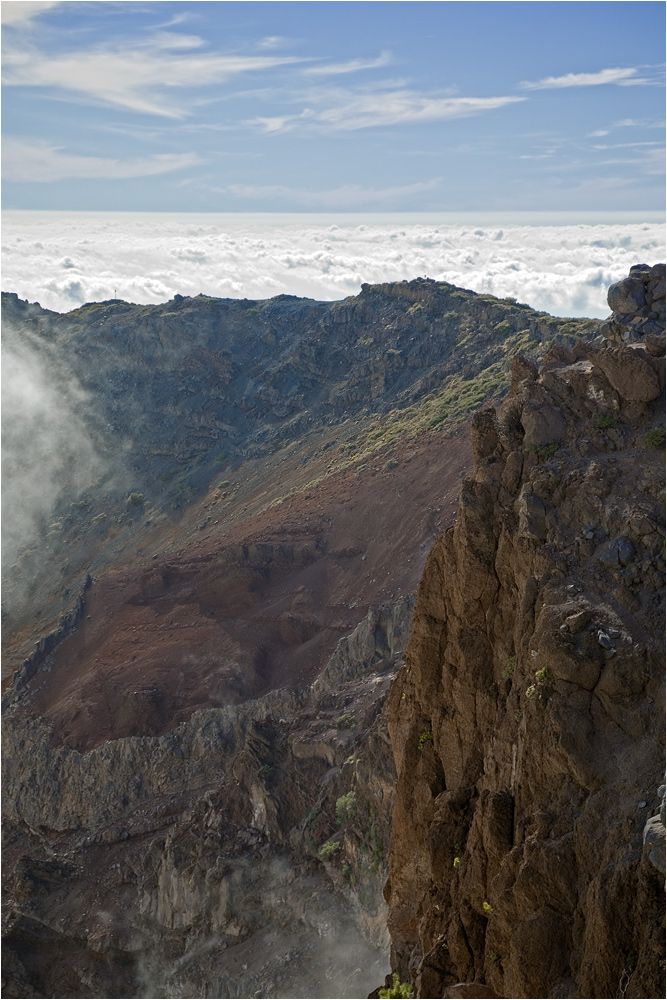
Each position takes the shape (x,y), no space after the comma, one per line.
(26,161)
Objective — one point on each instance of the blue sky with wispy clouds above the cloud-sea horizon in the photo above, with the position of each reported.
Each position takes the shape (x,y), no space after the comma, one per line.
(325,107)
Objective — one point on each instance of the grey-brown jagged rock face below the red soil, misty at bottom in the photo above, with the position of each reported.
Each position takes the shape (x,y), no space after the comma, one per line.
(192,864)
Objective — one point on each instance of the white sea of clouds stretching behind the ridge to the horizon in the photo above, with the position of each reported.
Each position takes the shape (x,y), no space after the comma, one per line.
(62,260)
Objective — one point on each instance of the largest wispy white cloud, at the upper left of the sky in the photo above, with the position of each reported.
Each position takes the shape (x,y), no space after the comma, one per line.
(140,76)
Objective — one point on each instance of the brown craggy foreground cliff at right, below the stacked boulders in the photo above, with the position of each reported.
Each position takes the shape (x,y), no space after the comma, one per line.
(526,721)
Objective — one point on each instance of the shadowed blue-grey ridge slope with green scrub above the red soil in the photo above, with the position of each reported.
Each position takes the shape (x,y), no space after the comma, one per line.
(199,414)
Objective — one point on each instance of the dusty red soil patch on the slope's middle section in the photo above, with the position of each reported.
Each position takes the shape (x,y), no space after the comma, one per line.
(234,611)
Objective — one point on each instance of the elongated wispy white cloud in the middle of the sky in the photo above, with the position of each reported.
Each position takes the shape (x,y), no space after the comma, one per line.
(349,111)
